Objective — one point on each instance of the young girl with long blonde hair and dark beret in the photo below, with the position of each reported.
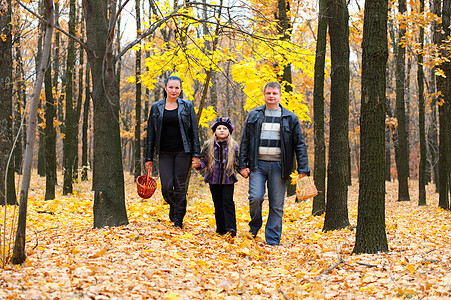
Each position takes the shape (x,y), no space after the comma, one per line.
(219,156)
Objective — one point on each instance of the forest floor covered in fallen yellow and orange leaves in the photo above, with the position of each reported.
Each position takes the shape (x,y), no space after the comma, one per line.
(150,259)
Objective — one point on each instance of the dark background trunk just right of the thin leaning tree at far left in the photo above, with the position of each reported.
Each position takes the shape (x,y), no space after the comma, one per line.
(50,138)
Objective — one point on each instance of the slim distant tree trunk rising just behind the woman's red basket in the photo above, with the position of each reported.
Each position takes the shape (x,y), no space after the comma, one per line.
(138,96)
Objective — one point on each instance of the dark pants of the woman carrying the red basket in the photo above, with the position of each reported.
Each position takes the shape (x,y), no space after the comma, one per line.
(174,167)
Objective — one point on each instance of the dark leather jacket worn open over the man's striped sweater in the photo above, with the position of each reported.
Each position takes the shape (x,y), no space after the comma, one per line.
(292,142)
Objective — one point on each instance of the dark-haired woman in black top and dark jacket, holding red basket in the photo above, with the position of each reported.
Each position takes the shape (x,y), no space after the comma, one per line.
(172,133)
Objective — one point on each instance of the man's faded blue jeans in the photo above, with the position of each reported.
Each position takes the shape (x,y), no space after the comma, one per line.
(267,172)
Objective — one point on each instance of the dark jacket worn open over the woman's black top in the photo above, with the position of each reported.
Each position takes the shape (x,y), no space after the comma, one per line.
(188,128)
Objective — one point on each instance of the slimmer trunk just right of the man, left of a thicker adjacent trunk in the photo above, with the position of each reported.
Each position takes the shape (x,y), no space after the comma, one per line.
(319,174)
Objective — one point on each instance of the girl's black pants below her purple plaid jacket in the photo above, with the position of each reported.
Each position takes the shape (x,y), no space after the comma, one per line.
(222,195)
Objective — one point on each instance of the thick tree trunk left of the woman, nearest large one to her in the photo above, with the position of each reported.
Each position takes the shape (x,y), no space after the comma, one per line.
(108,178)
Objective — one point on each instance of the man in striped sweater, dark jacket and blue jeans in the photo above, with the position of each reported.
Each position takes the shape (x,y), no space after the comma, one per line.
(272,136)
